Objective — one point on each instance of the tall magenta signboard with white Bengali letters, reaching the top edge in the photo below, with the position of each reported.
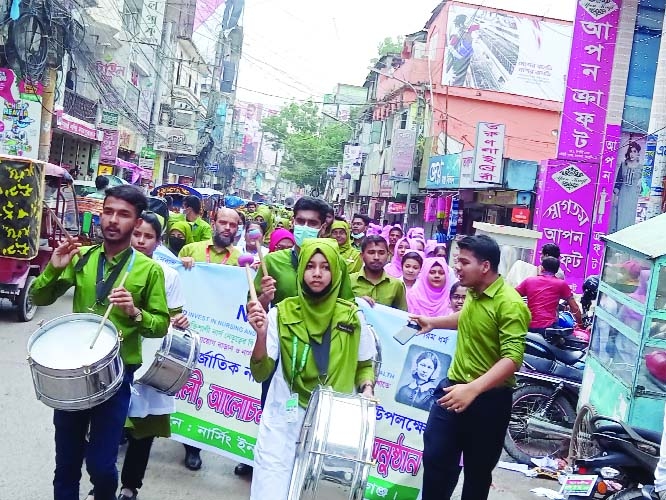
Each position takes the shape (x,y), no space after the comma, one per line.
(588,80)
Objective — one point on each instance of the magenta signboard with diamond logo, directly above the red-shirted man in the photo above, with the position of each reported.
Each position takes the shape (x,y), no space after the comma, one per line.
(564,214)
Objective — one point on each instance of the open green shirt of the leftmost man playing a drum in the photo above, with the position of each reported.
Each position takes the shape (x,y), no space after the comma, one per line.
(145,282)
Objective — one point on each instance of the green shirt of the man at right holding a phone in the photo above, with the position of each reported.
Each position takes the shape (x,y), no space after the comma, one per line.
(492,326)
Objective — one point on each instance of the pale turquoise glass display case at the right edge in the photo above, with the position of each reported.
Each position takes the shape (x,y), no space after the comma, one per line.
(625,370)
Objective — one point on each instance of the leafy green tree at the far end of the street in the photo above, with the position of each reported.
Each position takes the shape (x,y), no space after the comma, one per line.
(309,146)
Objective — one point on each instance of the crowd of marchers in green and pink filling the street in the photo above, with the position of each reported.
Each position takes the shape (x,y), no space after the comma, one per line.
(308,332)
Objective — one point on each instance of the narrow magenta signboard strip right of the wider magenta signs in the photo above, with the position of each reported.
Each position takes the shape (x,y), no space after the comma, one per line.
(603,201)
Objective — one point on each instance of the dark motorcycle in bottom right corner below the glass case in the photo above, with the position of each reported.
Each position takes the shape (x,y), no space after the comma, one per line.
(625,461)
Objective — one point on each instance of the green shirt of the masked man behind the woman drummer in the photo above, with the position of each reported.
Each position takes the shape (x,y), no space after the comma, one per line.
(282,265)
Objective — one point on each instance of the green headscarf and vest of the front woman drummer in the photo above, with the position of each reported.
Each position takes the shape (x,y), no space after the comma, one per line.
(306,319)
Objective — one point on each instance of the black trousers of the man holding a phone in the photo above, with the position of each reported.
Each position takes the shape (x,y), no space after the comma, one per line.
(478,433)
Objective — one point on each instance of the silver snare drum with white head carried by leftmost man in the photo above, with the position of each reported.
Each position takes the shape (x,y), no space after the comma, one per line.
(66,372)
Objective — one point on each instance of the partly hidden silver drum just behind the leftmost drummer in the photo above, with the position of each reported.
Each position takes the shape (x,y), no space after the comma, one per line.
(168,362)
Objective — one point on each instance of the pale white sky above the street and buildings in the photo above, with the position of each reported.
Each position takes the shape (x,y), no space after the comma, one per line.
(300,49)
